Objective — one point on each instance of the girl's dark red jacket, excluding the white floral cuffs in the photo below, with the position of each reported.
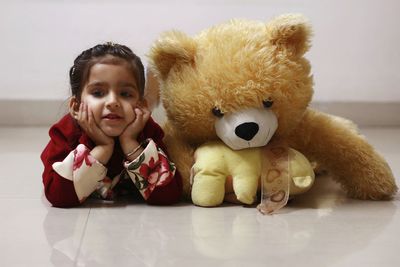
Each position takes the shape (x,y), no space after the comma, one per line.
(66,135)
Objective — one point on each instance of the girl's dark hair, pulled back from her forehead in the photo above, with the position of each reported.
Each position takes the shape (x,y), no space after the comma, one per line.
(79,72)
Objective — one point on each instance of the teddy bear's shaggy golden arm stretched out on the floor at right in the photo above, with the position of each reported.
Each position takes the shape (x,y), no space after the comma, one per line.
(363,173)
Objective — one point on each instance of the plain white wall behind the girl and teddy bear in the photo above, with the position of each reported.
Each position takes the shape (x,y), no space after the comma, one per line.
(355,53)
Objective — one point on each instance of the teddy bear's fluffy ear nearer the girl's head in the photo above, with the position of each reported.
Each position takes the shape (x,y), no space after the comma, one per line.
(171,48)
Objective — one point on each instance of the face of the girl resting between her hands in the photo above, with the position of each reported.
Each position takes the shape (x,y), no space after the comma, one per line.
(111,93)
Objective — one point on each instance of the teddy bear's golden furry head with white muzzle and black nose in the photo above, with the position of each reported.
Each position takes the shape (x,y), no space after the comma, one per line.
(242,81)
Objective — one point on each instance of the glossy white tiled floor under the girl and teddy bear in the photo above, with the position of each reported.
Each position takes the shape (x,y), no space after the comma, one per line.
(321,228)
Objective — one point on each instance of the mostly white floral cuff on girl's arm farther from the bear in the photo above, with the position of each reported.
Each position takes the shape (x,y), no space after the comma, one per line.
(83,170)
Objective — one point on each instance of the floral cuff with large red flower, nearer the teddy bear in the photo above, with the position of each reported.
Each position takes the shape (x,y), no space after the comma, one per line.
(151,169)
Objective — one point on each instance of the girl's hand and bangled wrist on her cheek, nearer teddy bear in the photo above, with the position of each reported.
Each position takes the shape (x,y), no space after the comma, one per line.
(128,138)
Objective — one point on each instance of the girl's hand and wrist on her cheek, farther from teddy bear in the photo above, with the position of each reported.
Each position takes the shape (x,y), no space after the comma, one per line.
(86,121)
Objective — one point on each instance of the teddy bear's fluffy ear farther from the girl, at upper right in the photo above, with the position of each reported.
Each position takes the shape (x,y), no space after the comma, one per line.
(290,33)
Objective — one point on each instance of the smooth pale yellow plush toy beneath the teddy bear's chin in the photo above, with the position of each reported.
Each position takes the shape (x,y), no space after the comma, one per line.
(215,162)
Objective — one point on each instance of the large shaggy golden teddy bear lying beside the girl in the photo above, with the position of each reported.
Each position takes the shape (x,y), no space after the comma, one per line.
(257,69)
